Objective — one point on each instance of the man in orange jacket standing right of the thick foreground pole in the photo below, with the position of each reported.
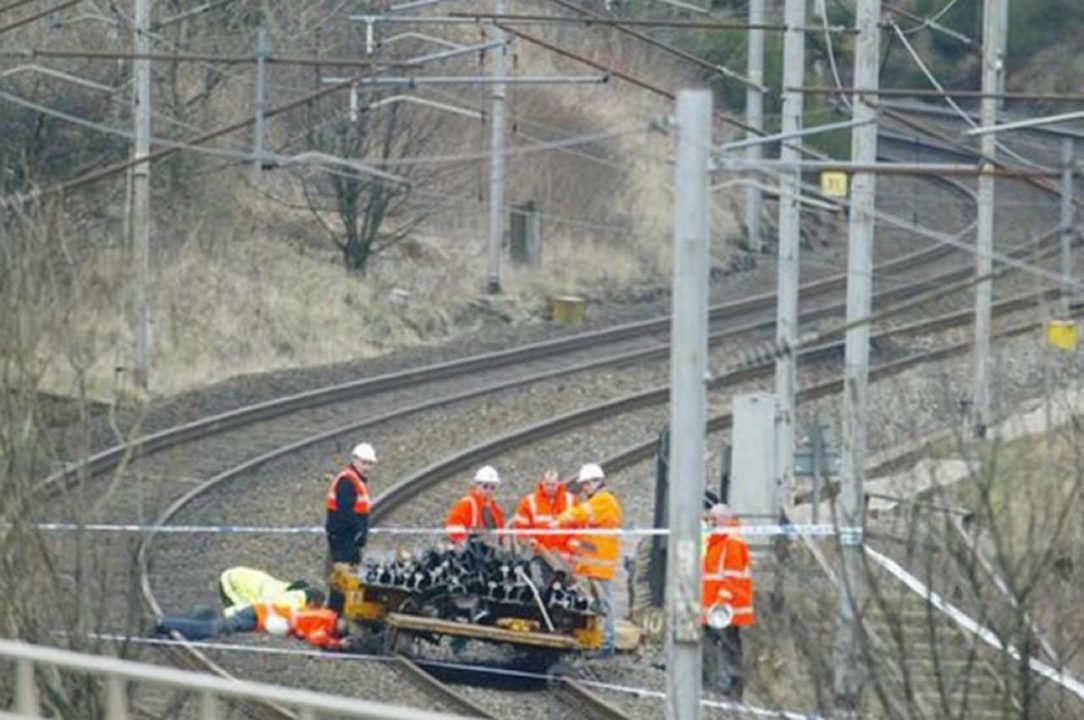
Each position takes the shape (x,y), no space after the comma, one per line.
(727,602)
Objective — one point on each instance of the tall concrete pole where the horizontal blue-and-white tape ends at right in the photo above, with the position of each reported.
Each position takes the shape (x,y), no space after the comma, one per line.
(850,511)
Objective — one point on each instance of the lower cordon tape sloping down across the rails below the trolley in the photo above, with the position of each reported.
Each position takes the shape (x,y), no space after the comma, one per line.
(627,690)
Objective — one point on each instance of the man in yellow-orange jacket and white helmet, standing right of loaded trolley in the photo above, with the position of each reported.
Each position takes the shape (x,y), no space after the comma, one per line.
(596,556)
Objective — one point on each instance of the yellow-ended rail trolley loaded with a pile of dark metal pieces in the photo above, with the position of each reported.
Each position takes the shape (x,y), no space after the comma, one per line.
(478,593)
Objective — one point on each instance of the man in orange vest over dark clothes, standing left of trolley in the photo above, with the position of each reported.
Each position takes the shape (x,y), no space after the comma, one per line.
(347,525)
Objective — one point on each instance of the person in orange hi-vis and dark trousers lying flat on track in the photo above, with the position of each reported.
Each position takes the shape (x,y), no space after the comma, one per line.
(318,626)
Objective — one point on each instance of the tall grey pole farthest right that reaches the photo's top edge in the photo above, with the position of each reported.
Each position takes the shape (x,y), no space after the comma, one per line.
(992,65)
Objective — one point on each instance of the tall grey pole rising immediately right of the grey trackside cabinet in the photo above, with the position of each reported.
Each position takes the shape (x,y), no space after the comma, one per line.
(786,312)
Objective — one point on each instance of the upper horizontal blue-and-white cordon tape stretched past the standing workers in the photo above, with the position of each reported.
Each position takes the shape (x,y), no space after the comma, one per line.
(848,535)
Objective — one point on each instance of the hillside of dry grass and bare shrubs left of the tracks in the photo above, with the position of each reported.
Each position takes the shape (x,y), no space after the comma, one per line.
(250,277)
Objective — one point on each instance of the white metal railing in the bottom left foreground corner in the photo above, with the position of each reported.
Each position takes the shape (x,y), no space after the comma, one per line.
(118,674)
